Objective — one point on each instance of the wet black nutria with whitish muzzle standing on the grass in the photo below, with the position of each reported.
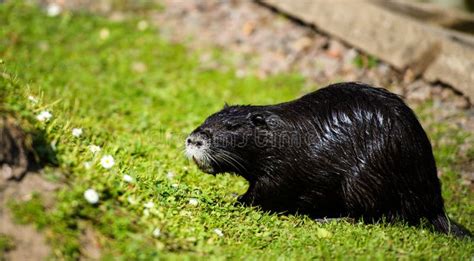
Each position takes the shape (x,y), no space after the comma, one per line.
(347,150)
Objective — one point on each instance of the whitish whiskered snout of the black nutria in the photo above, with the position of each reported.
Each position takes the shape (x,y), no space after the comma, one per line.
(198,149)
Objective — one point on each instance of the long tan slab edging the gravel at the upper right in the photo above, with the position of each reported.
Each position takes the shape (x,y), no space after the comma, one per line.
(437,54)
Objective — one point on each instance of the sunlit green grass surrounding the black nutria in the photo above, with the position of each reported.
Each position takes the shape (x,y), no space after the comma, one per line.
(140,117)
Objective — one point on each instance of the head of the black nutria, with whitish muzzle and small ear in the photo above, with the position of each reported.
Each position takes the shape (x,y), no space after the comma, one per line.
(232,139)
